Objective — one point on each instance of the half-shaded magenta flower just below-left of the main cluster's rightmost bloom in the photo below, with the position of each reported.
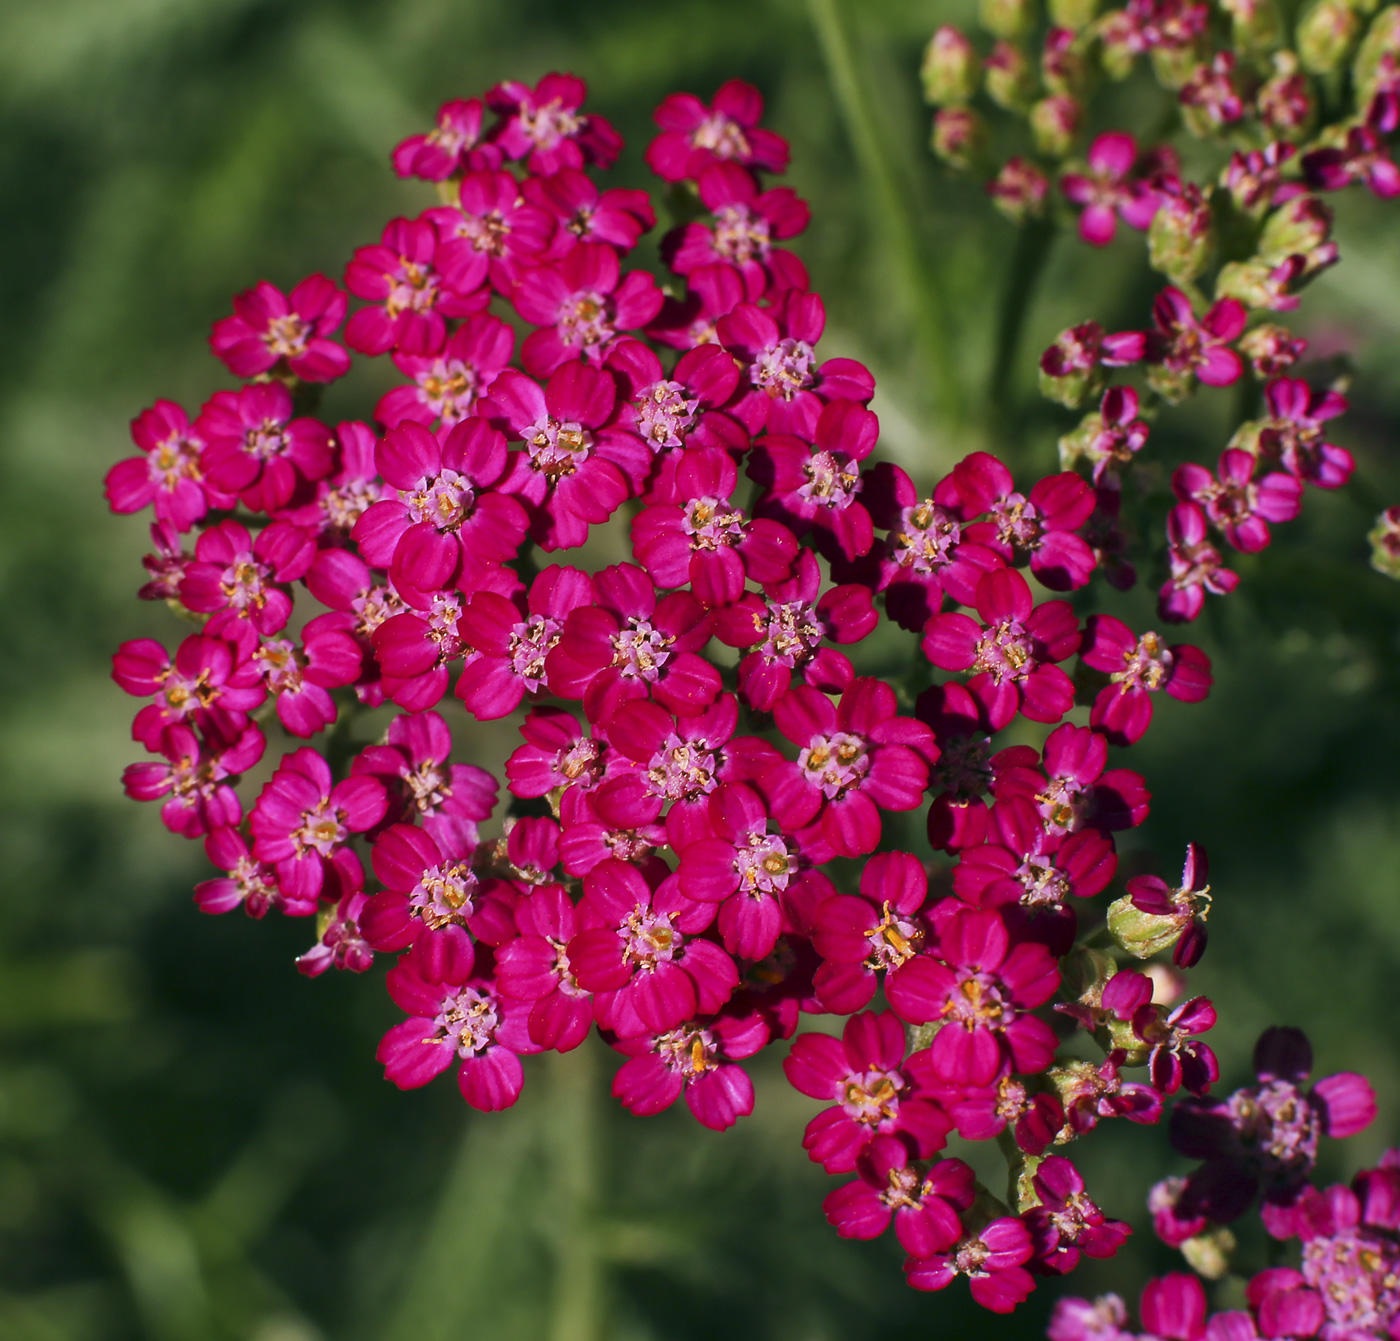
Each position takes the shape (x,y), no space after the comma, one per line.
(1072,786)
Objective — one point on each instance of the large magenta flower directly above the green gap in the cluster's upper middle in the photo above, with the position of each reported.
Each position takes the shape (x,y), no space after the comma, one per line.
(579,464)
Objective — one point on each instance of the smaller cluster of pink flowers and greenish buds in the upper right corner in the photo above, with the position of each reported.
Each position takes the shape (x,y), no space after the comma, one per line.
(1258,230)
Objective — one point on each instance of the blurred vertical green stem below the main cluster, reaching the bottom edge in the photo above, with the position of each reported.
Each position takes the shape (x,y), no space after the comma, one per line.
(580,1269)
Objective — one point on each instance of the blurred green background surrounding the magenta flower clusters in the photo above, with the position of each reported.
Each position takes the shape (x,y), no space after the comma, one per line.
(195,1143)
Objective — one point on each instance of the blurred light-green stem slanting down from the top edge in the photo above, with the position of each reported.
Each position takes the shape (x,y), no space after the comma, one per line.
(892,206)
